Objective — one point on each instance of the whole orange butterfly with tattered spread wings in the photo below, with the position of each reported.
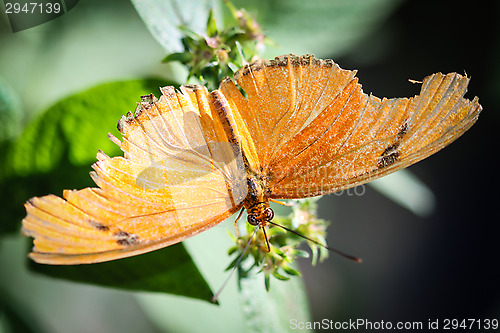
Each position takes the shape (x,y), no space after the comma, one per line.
(193,158)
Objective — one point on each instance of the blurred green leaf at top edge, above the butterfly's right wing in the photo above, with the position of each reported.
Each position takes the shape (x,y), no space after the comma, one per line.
(321,27)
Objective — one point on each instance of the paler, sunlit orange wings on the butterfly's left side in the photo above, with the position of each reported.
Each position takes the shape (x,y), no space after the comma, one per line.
(178,177)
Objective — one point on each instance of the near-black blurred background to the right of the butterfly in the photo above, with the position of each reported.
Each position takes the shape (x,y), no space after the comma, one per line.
(444,265)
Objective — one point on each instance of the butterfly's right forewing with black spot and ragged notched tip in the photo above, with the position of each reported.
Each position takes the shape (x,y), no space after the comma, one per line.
(351,156)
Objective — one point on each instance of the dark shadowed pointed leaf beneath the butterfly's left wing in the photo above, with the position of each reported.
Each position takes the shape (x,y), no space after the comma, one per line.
(169,270)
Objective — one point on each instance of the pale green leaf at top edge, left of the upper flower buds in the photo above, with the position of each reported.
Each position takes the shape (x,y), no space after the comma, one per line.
(163,19)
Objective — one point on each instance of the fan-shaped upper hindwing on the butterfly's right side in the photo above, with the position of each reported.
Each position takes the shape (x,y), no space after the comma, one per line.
(283,96)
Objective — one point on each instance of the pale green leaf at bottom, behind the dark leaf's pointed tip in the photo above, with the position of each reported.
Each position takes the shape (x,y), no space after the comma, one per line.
(244,306)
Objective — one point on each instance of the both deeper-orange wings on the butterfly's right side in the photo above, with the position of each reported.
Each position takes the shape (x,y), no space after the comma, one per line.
(316,132)
